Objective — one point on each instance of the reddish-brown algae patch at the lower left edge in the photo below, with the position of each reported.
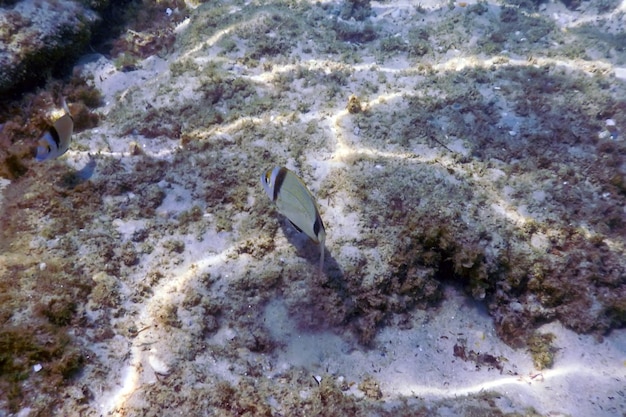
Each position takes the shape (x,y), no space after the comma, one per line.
(39,354)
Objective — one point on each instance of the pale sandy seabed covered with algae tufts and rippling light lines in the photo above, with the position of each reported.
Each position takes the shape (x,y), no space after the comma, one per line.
(473,194)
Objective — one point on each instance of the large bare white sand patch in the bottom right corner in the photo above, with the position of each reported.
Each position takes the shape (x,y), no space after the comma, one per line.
(420,362)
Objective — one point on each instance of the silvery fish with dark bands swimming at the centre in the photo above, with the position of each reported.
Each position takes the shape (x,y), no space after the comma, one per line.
(294,201)
